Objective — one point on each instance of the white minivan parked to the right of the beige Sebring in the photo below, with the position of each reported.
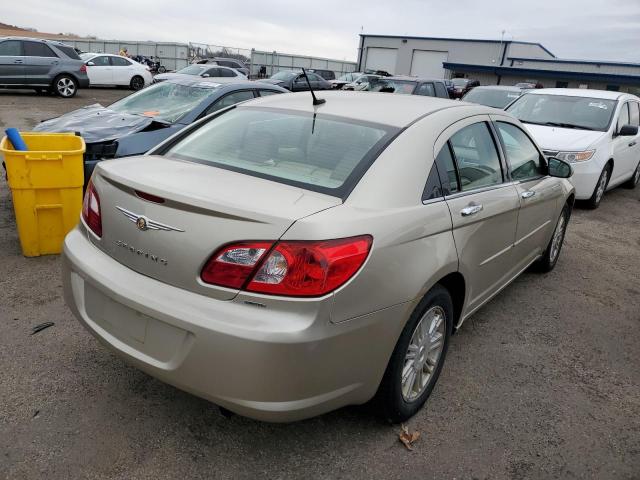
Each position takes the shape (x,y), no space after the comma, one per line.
(595,130)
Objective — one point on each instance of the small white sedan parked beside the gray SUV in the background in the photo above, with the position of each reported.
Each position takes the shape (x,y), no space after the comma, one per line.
(108,69)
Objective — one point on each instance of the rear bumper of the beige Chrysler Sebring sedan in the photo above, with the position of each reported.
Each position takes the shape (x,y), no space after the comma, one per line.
(268,364)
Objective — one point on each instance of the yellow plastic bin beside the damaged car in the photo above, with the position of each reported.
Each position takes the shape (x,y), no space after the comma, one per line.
(46,184)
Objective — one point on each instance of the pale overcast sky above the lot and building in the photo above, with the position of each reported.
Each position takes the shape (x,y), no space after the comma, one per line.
(587,29)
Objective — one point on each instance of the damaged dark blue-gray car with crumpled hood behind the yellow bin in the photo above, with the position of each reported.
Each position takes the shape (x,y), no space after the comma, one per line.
(135,124)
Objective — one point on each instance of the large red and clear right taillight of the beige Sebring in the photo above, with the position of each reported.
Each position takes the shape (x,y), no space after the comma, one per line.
(290,268)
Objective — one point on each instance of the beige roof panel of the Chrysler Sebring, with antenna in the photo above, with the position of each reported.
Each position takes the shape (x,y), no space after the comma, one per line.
(394,110)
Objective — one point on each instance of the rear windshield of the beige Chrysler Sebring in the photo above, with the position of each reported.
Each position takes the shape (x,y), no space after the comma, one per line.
(317,152)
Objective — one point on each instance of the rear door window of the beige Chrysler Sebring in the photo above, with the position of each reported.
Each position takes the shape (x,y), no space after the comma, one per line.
(476,157)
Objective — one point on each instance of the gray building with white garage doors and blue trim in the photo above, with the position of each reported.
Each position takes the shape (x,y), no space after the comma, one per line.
(491,62)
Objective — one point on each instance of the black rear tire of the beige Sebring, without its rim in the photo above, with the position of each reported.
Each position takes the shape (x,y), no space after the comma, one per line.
(389,400)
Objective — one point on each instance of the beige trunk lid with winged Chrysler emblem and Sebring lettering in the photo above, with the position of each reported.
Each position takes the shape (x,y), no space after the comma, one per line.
(202,208)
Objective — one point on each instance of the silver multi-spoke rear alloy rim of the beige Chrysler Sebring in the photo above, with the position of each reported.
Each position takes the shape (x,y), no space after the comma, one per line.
(423,353)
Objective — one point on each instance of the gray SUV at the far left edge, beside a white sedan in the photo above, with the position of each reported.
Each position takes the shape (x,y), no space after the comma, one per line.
(42,65)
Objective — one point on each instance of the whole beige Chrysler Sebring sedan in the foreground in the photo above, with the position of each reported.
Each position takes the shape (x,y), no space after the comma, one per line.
(283,259)
